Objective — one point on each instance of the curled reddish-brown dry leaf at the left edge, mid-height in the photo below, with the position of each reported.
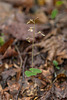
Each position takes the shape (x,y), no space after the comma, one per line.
(7,51)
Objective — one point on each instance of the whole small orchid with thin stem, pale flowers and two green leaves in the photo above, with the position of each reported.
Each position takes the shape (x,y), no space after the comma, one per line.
(33,71)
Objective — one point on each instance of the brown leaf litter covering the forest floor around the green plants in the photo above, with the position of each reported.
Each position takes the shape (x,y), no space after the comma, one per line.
(15,54)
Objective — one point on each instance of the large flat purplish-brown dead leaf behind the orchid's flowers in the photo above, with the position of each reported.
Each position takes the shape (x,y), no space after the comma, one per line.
(20,31)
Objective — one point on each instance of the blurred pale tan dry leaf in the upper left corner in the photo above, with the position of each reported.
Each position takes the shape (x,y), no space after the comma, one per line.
(6,13)
